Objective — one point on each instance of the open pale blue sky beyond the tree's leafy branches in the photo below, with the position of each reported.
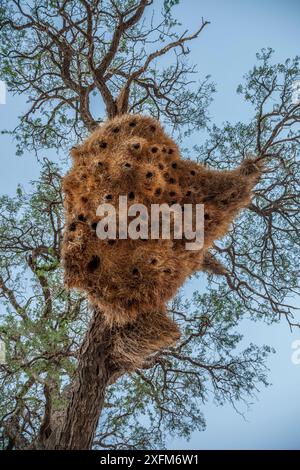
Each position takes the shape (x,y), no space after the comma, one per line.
(226,50)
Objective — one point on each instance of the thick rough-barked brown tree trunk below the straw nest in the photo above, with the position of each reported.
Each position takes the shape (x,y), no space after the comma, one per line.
(95,370)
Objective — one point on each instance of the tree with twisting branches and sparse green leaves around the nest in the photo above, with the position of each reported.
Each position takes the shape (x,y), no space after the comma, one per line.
(71,58)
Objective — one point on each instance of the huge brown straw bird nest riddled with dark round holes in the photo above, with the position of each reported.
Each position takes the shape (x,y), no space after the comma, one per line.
(131,280)
